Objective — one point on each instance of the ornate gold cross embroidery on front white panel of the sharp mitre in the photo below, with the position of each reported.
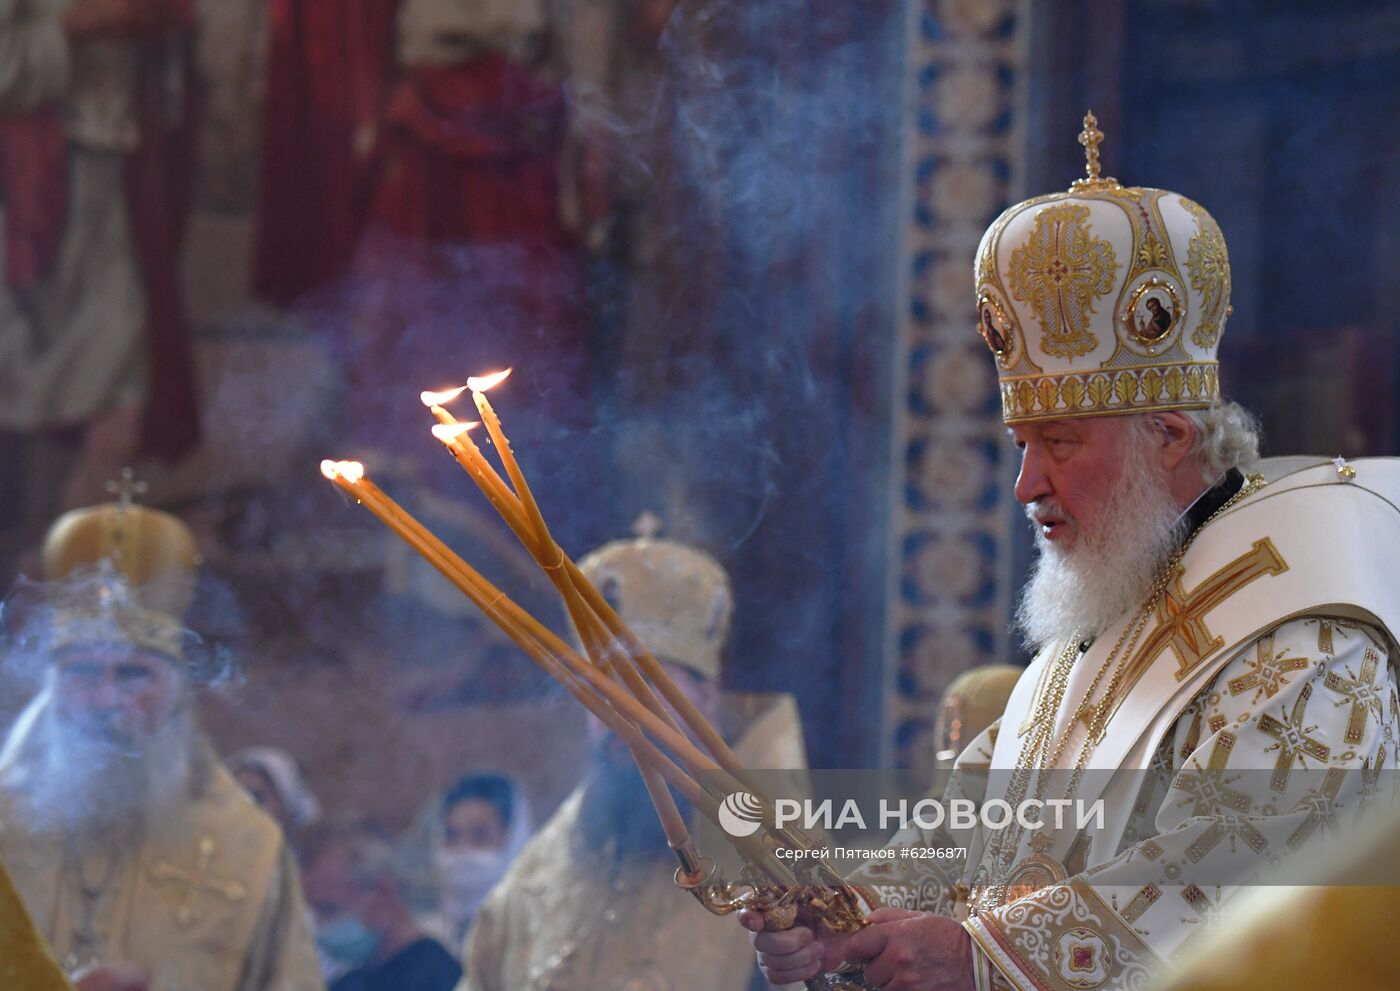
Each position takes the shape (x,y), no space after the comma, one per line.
(1062,271)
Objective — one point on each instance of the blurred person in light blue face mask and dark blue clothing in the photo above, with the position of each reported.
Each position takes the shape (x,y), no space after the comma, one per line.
(366,933)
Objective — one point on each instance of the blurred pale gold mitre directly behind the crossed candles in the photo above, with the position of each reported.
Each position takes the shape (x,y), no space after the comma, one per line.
(674,597)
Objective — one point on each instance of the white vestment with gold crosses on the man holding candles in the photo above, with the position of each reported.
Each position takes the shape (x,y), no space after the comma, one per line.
(1262,691)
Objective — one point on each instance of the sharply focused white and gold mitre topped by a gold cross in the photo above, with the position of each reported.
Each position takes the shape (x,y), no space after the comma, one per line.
(1104,300)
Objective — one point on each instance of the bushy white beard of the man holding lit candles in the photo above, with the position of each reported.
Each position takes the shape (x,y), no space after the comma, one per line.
(1081,591)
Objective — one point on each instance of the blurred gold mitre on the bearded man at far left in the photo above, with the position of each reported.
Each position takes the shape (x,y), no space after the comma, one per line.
(143,565)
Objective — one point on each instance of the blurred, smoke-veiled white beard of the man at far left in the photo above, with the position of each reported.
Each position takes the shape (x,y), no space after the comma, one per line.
(61,779)
